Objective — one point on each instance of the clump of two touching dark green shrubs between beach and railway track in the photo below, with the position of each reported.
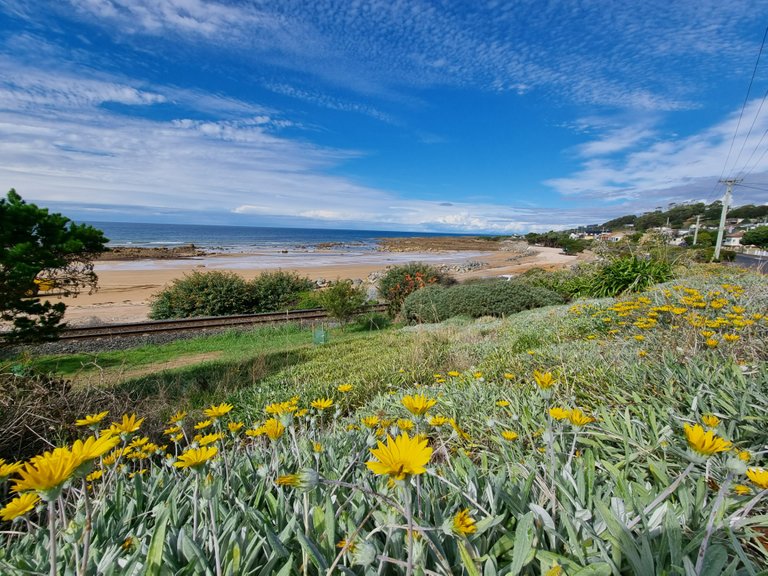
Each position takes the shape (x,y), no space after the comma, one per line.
(221,293)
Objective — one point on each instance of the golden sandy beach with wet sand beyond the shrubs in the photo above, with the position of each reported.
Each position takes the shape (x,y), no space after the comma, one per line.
(125,287)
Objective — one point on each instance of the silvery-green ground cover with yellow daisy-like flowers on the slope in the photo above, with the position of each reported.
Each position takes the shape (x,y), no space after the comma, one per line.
(613,436)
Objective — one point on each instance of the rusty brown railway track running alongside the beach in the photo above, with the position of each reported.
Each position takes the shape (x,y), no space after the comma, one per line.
(203,323)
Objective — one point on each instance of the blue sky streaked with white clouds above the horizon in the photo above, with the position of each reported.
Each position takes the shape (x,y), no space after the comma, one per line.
(482,116)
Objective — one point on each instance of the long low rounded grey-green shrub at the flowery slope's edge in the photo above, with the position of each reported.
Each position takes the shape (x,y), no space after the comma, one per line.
(489,298)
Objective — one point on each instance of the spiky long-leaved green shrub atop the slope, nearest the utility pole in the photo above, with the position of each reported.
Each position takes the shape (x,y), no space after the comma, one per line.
(627,274)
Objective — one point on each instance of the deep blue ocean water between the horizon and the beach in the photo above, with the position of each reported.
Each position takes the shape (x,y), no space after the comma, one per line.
(240,238)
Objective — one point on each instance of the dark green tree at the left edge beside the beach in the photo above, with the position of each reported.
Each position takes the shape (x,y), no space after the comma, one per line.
(41,252)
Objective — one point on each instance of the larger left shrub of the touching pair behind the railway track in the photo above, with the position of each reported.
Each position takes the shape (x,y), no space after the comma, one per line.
(203,294)
